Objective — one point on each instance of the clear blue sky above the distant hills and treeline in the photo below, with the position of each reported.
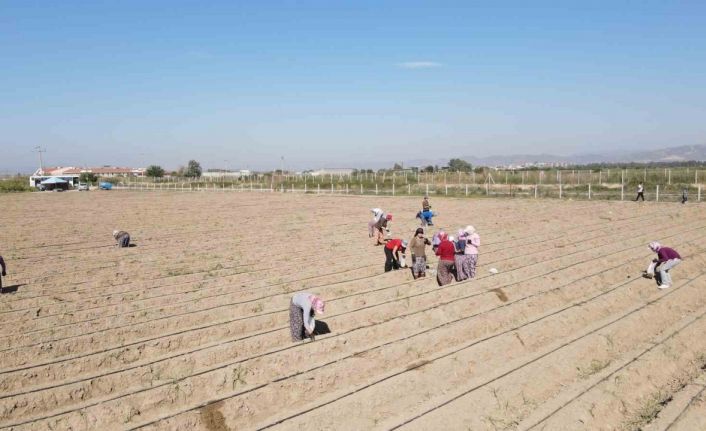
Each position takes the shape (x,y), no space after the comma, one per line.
(341,84)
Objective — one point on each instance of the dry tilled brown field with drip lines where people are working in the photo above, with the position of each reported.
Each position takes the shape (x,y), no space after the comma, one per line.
(189,328)
